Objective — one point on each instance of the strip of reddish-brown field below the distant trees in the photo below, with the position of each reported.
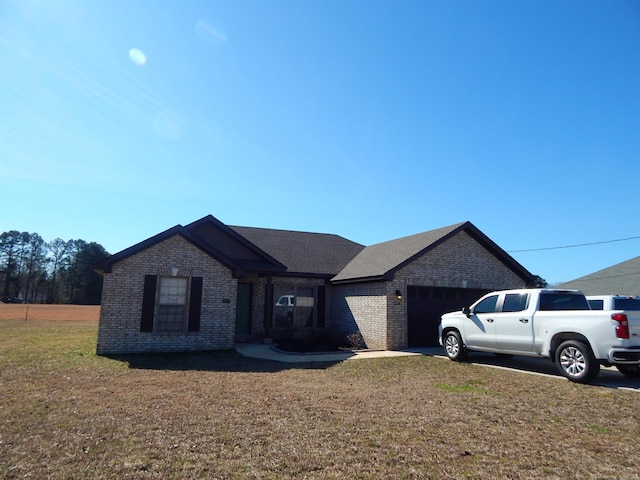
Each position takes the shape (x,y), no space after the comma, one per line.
(34,312)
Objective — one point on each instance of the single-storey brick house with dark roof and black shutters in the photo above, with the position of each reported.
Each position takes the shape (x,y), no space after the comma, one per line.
(207,285)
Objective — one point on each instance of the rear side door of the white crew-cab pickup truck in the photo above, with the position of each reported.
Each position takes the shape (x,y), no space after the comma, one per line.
(514,325)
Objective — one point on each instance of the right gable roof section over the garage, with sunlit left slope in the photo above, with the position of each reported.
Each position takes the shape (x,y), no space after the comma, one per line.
(381,261)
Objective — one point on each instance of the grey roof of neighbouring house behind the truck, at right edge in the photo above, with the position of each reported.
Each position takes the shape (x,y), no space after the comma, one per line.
(620,279)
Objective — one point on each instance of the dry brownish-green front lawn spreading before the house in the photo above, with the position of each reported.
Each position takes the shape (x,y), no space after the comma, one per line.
(66,413)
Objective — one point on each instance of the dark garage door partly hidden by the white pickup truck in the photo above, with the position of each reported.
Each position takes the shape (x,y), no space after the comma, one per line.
(425,306)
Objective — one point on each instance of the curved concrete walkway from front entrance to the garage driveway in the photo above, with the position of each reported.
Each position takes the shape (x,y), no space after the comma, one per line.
(269,352)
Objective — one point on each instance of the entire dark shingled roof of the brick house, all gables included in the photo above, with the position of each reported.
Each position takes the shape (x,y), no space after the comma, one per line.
(285,252)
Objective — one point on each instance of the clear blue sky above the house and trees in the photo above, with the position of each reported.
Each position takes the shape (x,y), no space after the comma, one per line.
(368,119)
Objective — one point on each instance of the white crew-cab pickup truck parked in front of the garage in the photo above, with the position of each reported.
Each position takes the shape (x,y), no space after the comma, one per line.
(557,324)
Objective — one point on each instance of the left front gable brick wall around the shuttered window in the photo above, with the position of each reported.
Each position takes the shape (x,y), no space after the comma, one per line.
(119,328)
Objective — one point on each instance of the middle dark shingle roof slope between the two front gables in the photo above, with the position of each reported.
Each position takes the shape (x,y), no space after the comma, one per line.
(302,252)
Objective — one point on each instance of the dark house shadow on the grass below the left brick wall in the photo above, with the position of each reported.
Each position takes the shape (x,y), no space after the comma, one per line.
(214,360)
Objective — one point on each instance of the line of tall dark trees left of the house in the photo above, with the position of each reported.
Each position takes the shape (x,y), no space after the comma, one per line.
(35,271)
